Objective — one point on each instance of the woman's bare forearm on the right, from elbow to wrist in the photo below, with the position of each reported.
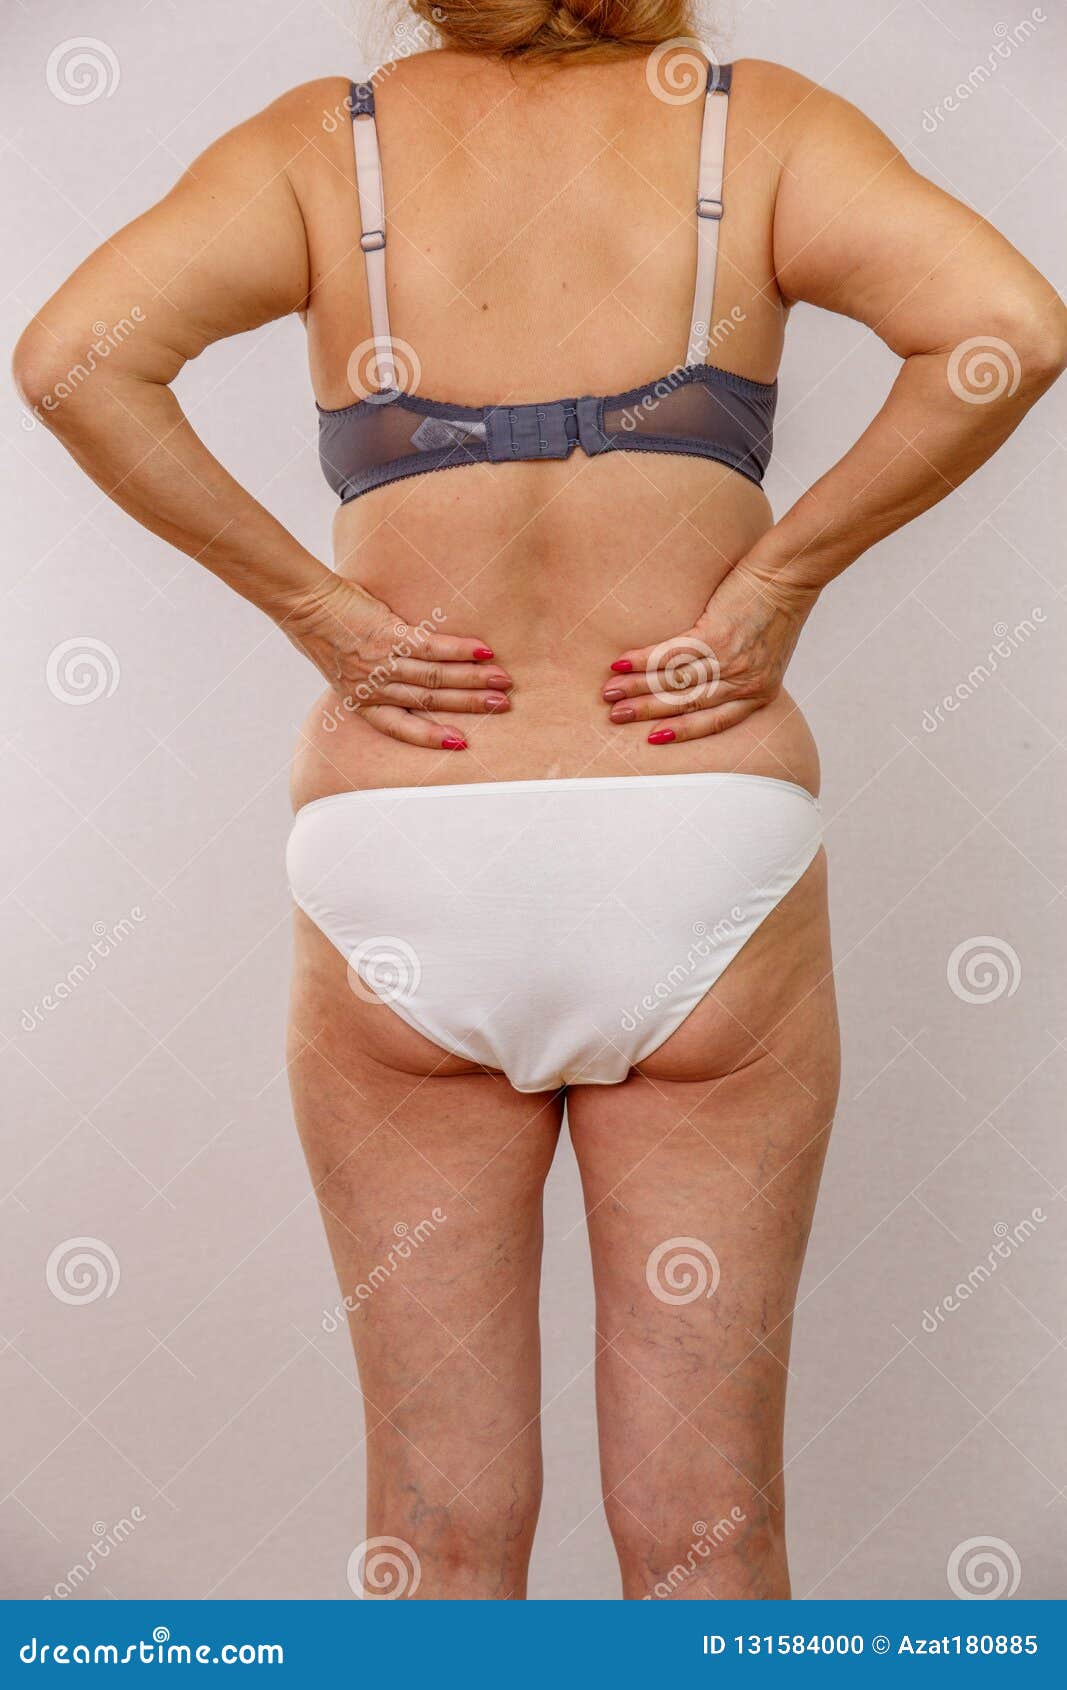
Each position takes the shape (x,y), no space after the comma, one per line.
(934,430)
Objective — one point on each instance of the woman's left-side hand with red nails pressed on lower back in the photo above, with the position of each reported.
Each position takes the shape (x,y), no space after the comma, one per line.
(393,673)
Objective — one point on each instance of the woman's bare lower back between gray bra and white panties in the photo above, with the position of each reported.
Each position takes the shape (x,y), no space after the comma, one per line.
(561,567)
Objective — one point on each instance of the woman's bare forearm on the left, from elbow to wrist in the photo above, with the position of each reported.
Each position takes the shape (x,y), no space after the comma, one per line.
(134,440)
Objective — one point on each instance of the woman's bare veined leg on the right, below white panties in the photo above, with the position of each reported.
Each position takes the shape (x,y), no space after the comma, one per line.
(701,1177)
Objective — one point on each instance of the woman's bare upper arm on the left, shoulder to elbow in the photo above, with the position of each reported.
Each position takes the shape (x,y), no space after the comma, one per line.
(226,251)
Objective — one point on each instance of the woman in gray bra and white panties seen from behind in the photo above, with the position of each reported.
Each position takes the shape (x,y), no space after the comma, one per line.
(559,834)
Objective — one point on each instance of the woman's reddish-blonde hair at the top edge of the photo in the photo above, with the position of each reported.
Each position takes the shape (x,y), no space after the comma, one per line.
(550,30)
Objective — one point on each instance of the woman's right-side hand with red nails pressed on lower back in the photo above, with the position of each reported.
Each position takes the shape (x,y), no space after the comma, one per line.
(714,675)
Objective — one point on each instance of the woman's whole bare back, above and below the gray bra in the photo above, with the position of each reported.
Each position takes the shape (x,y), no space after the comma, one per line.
(542,243)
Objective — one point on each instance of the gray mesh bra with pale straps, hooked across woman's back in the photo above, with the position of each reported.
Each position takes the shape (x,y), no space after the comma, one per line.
(696,410)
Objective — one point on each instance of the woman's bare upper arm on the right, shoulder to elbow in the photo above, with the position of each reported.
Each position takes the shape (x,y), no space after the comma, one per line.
(860,232)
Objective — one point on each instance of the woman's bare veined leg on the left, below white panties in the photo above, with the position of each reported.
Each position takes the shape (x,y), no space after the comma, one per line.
(430,1175)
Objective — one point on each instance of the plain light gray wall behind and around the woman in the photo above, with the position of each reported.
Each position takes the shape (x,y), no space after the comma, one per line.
(150,1109)
